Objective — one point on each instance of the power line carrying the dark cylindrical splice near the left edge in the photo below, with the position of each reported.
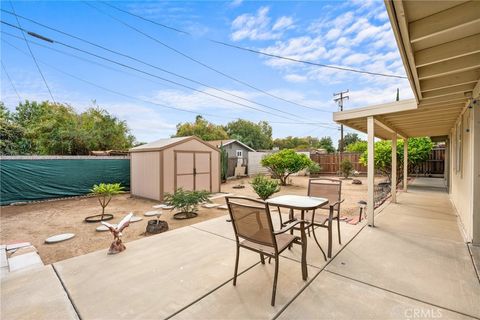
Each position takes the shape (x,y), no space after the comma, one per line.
(50,40)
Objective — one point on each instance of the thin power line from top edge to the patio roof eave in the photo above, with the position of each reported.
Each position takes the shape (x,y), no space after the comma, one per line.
(261,52)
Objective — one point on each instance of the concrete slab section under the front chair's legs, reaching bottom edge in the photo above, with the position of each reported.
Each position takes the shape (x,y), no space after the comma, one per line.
(250,298)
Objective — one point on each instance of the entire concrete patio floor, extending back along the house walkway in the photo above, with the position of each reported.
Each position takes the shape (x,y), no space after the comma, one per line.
(413,264)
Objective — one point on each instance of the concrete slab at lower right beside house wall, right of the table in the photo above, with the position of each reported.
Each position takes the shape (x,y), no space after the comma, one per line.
(430,270)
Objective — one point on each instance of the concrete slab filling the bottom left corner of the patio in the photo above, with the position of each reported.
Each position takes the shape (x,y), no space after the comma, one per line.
(35,294)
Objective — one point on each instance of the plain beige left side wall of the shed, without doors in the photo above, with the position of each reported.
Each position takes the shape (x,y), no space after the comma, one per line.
(145,174)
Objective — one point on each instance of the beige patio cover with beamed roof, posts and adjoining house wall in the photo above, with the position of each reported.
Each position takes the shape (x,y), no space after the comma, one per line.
(439,43)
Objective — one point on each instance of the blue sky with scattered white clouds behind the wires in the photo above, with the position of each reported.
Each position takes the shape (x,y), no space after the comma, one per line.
(355,34)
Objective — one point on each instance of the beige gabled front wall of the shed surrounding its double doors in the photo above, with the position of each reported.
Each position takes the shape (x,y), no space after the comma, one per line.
(169,164)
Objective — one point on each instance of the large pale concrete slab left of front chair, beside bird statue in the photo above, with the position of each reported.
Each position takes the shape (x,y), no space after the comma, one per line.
(154,278)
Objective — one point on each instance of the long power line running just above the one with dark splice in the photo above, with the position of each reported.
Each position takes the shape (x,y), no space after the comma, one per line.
(147,64)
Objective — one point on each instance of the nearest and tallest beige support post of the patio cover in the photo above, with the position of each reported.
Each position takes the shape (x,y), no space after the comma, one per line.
(371,170)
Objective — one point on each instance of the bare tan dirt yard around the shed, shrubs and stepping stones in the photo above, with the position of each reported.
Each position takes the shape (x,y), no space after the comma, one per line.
(38,221)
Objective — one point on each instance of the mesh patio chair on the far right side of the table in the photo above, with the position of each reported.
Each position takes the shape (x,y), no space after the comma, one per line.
(324,217)
